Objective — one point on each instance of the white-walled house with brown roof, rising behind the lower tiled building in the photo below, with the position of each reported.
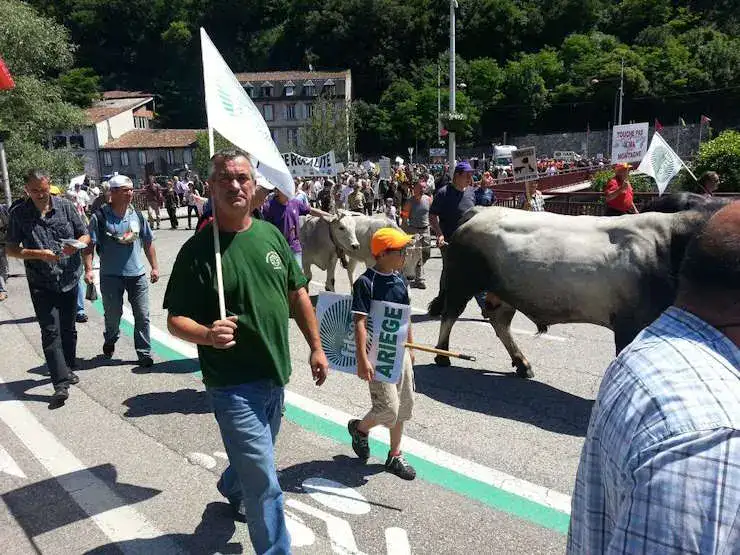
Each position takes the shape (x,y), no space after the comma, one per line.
(118,113)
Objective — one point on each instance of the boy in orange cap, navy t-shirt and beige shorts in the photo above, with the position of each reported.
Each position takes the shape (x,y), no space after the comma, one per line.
(392,404)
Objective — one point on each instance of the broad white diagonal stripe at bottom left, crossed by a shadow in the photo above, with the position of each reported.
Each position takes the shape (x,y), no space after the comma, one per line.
(120,524)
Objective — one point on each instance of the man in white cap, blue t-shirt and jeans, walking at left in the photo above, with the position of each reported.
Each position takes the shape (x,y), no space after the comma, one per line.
(123,238)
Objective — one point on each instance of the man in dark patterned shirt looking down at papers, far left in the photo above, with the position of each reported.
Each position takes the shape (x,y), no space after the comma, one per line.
(39,233)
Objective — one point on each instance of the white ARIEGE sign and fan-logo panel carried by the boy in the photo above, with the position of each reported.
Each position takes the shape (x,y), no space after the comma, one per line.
(387,329)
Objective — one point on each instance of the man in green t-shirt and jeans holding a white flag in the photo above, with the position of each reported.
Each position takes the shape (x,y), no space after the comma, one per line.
(245,359)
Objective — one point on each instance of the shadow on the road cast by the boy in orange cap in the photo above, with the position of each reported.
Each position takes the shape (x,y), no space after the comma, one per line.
(348,471)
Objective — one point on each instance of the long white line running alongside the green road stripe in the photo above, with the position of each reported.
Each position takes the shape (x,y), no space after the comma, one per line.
(533,492)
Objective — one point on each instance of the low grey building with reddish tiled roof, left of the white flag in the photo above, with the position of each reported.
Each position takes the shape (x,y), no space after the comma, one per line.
(143,152)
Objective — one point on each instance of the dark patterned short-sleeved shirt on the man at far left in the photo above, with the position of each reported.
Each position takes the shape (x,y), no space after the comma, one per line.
(28,228)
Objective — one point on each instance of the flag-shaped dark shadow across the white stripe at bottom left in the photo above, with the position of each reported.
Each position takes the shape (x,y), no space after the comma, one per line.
(47,505)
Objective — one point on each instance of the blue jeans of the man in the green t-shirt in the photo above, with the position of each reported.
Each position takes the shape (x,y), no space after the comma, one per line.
(249,418)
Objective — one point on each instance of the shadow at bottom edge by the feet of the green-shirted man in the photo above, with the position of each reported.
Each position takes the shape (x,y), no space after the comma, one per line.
(212,535)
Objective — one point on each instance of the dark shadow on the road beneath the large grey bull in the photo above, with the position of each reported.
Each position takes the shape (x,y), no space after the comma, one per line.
(505,396)
